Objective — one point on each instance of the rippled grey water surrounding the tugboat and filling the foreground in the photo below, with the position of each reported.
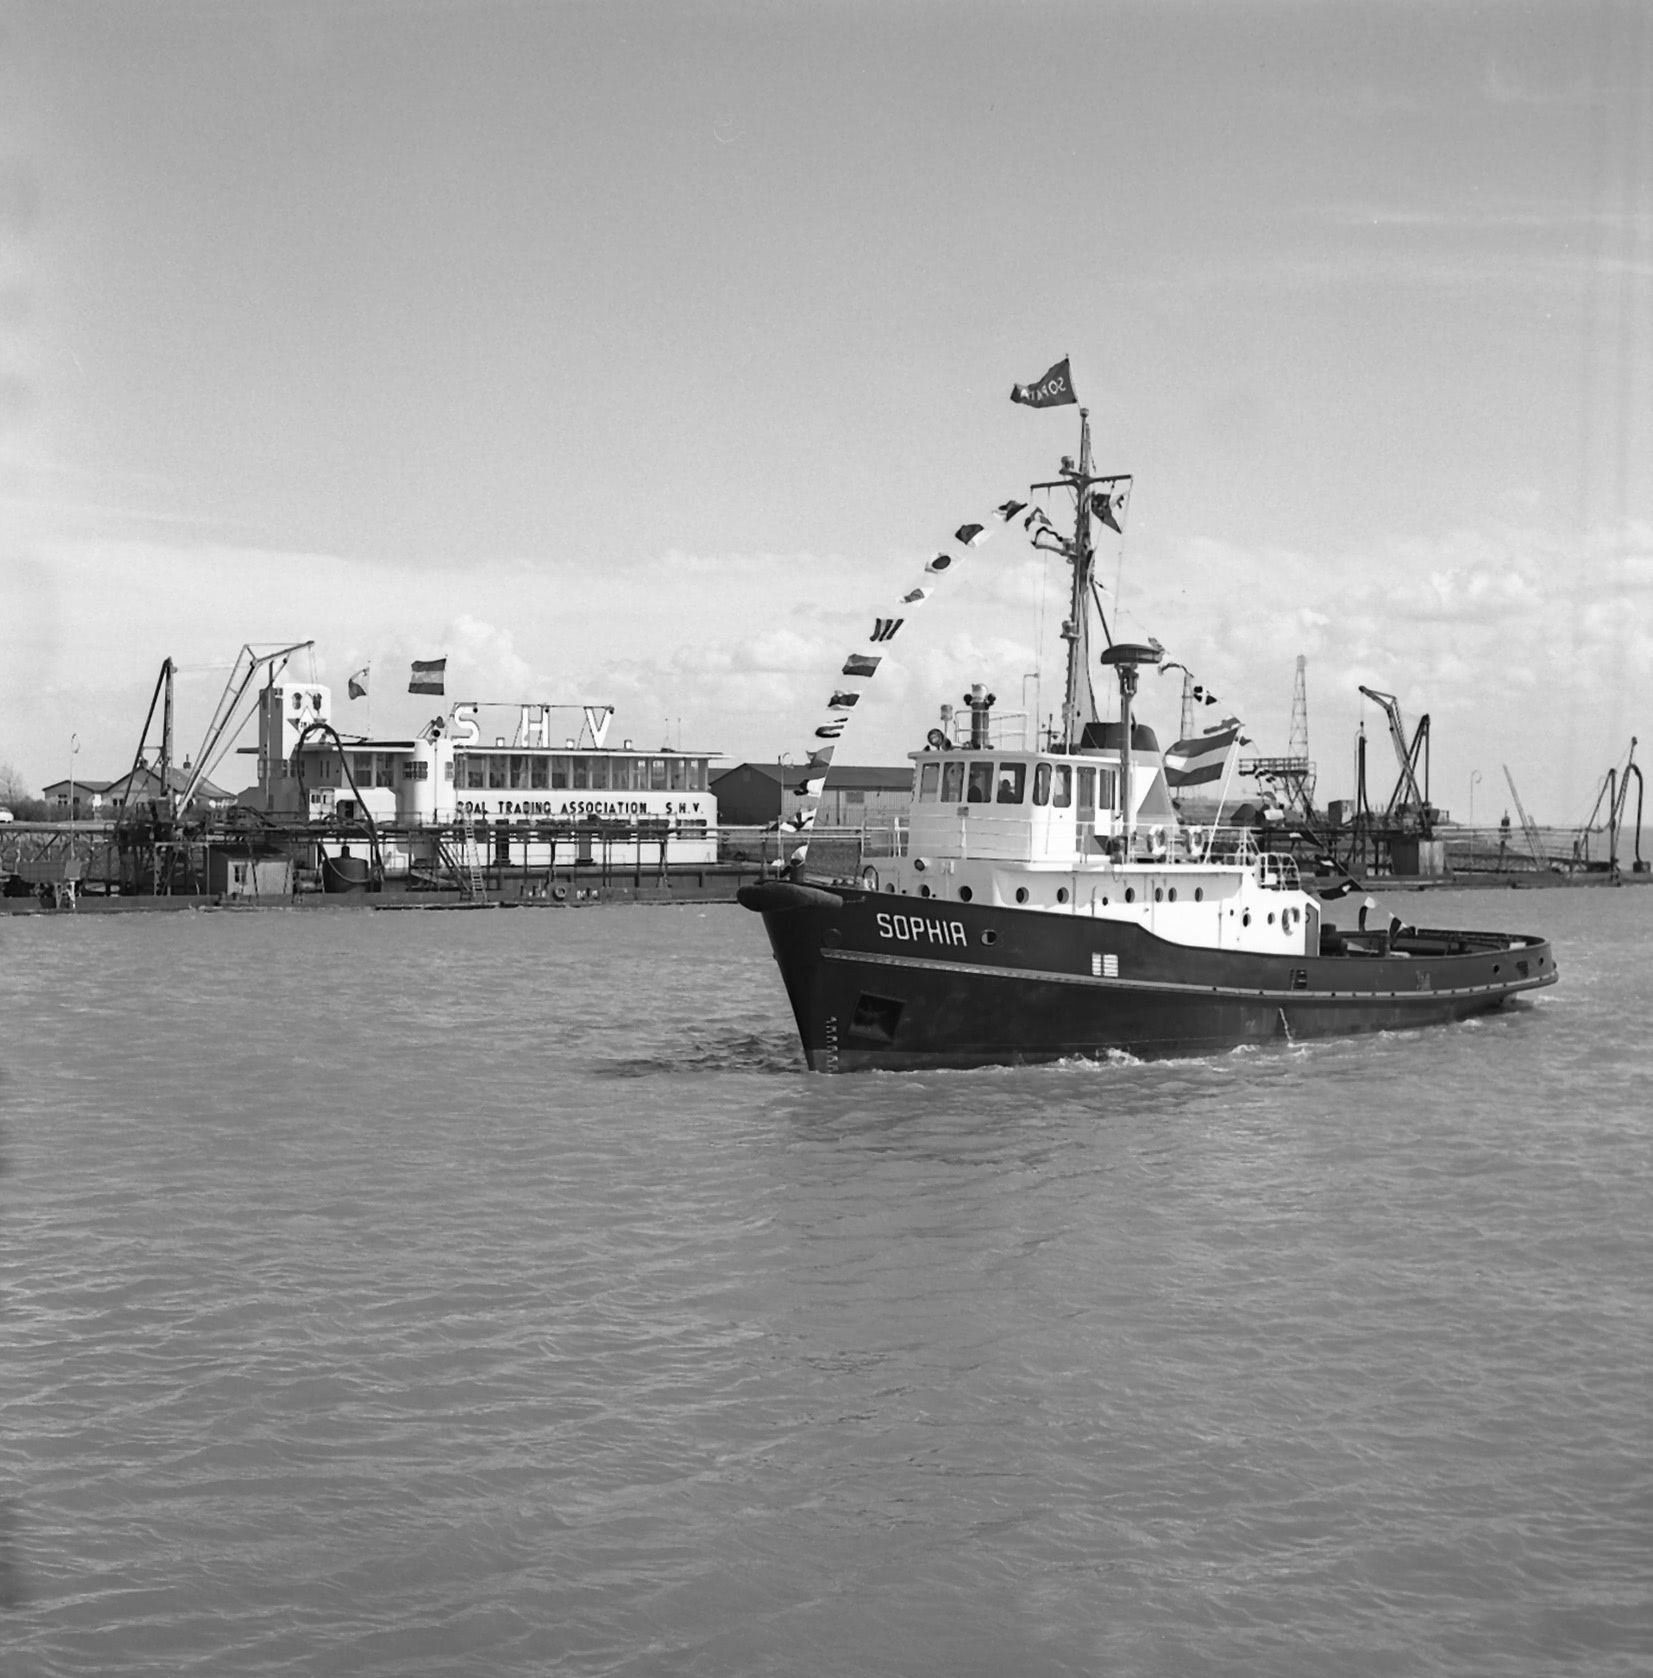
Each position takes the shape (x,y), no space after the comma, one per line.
(494,1295)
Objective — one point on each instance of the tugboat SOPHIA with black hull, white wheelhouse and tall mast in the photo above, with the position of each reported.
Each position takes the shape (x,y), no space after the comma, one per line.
(1051,904)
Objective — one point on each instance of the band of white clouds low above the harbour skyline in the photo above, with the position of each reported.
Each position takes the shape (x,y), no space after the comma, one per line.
(1523,645)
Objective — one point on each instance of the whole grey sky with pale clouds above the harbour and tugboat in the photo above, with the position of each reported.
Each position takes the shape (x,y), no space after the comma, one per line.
(639,353)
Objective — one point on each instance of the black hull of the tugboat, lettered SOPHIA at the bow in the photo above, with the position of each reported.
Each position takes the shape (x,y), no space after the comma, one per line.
(884,982)
